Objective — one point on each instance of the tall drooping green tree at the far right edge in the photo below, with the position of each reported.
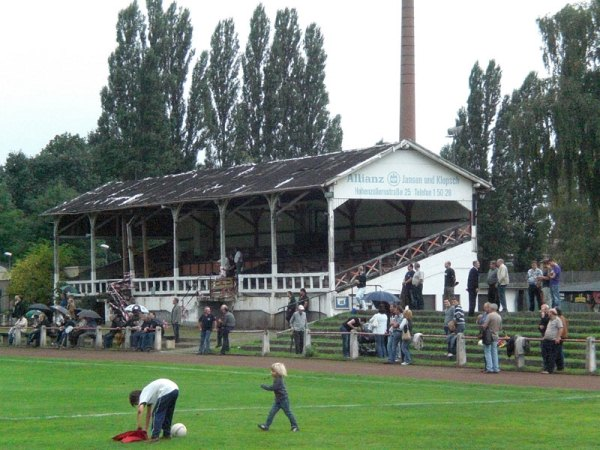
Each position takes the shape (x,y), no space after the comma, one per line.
(571,39)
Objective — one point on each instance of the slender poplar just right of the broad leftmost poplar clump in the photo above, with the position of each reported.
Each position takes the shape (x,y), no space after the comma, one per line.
(223,86)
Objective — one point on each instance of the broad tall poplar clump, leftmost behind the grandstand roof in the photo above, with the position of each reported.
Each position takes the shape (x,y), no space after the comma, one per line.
(141,130)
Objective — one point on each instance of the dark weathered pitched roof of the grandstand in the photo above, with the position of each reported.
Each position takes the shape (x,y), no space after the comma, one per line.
(240,181)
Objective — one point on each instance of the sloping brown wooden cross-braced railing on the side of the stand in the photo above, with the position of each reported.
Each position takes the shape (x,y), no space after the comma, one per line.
(401,257)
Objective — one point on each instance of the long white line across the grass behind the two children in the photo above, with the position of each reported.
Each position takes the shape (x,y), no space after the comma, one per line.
(341,406)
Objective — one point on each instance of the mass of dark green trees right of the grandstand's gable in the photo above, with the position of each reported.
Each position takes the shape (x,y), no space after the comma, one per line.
(545,163)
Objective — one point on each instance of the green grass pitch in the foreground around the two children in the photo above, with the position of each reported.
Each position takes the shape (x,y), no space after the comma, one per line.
(58,404)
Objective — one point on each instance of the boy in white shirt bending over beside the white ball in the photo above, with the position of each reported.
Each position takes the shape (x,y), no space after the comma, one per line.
(158,399)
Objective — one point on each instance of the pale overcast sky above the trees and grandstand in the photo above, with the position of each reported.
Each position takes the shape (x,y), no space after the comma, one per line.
(54,59)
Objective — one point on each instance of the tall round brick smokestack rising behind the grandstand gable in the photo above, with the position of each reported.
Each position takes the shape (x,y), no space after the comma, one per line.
(407,72)
